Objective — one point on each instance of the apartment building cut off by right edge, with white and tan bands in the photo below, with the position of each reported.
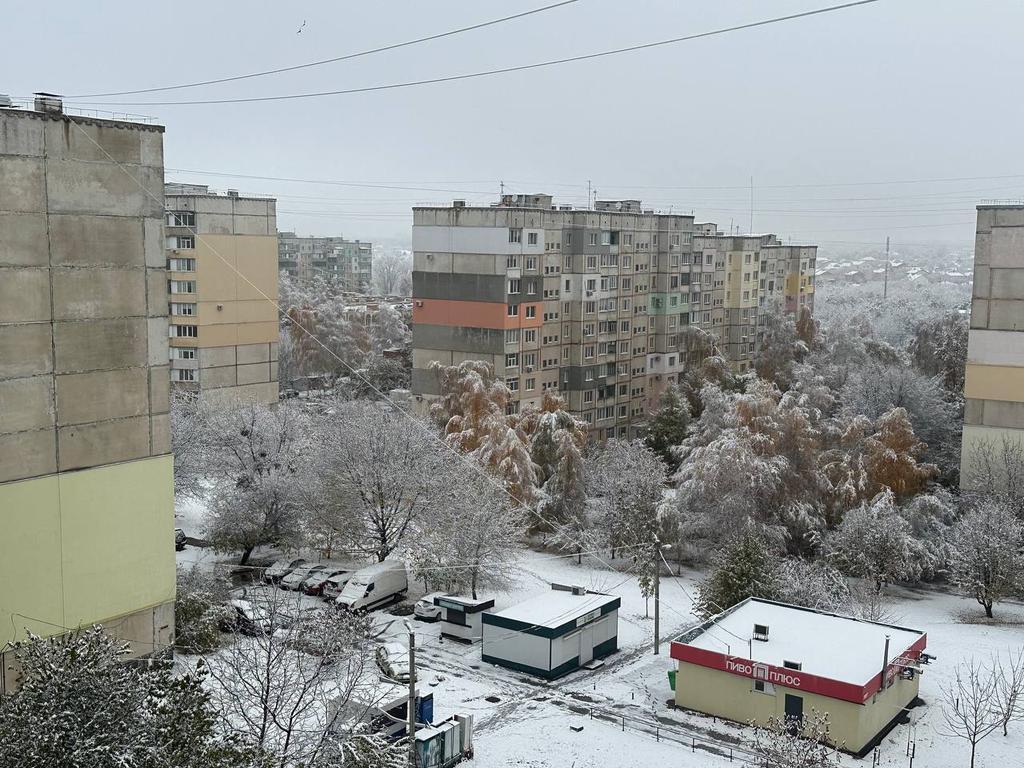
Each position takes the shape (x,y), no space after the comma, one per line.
(994,418)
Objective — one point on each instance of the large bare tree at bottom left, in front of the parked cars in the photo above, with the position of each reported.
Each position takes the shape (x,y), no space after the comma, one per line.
(280,686)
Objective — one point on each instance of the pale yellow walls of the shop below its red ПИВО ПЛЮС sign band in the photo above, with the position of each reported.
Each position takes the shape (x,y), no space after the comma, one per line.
(734,698)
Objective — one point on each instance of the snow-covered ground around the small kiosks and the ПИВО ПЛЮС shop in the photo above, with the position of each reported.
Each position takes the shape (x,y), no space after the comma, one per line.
(533,723)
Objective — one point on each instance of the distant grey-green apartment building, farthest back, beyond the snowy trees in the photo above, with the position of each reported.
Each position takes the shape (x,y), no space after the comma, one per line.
(349,263)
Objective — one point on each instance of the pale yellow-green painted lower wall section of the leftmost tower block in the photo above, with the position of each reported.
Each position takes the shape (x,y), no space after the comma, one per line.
(86,547)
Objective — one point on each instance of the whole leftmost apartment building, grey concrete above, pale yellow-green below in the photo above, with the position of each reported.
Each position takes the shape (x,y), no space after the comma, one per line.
(87,489)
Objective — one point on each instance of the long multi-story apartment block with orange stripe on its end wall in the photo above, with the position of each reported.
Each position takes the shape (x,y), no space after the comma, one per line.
(608,307)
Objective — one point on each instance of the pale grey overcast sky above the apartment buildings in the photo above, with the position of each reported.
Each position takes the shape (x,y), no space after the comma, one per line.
(897,91)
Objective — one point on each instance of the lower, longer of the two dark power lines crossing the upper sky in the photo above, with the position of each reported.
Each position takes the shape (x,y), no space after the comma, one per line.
(501,71)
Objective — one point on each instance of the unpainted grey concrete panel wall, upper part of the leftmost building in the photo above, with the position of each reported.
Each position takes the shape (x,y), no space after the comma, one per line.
(82,294)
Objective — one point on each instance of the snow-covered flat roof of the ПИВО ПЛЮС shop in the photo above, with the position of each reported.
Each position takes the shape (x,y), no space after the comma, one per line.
(830,646)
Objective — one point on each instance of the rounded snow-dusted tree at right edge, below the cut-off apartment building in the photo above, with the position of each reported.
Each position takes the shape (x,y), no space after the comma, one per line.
(988,554)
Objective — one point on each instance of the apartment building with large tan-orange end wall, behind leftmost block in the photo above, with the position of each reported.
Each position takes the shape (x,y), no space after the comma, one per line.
(223,284)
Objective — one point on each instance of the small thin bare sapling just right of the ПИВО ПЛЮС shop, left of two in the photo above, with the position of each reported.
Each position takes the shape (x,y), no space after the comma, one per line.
(970,709)
